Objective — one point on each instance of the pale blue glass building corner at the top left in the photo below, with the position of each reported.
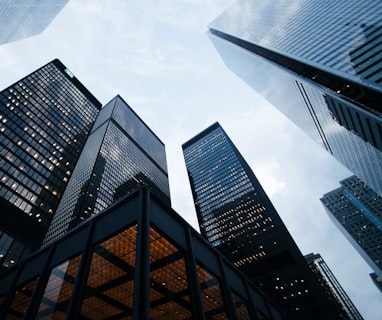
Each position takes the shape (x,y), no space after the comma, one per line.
(22,19)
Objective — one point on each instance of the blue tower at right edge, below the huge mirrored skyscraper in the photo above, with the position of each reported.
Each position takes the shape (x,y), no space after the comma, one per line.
(357,212)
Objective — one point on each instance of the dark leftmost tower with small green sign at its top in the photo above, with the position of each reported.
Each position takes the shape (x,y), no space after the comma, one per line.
(45,119)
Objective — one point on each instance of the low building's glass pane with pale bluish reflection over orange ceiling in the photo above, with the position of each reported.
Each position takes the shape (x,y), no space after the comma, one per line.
(58,291)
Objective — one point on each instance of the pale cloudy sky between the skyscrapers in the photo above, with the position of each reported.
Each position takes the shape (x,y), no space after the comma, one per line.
(158,57)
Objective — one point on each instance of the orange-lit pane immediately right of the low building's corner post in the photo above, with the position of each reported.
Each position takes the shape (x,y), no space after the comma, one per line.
(169,295)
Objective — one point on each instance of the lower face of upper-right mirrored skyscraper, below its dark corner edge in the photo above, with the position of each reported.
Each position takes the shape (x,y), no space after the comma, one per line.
(311,108)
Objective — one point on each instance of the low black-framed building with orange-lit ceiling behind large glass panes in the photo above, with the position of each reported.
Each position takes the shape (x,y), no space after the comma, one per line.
(138,259)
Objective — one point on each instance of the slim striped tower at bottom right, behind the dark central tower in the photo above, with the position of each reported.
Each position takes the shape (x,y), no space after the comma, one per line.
(332,287)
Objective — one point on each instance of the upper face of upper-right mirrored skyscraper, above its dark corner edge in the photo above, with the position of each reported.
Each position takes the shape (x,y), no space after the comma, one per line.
(343,39)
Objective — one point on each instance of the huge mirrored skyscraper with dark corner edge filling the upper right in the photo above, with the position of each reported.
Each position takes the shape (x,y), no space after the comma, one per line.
(319,63)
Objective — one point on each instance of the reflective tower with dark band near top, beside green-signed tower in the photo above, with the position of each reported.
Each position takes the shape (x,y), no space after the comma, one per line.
(121,154)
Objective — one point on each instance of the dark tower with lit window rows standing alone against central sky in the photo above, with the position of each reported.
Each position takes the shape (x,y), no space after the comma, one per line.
(236,216)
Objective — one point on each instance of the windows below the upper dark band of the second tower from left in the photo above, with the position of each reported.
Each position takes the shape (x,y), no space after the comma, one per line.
(118,160)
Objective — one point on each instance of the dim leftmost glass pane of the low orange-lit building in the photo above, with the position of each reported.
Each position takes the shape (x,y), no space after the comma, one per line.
(21,300)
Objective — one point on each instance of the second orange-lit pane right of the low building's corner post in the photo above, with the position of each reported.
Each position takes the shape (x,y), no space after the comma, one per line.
(211,295)
